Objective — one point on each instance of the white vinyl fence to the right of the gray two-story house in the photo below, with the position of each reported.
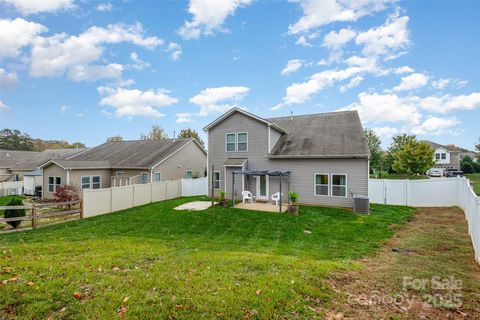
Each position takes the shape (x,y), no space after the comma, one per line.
(439,192)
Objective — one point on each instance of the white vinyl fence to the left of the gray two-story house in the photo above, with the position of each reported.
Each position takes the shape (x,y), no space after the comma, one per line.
(101,201)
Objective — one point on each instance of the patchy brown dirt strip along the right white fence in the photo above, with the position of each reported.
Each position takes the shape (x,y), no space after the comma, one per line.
(426,271)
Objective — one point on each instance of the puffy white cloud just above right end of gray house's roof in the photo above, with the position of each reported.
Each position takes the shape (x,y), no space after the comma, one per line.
(377,108)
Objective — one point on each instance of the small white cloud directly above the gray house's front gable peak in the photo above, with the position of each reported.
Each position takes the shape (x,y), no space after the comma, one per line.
(217,99)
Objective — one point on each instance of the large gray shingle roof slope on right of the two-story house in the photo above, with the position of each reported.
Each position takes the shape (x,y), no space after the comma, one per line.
(324,135)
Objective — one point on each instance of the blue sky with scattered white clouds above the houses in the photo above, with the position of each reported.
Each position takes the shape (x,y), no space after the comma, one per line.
(85,71)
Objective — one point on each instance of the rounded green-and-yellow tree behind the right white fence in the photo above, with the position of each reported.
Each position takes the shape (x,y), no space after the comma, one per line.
(413,158)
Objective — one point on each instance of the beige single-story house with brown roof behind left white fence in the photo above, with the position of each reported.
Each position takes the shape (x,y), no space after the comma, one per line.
(115,164)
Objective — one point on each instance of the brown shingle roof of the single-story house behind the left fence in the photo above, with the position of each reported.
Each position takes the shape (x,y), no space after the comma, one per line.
(133,154)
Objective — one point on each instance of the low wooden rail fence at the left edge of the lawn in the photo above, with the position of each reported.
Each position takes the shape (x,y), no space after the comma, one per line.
(34,215)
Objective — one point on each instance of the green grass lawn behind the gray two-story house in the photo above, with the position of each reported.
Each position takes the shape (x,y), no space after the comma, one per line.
(187,265)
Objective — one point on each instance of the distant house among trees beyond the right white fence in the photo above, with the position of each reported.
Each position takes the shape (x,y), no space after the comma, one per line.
(448,156)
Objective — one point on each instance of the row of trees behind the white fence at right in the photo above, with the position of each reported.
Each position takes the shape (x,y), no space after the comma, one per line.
(408,156)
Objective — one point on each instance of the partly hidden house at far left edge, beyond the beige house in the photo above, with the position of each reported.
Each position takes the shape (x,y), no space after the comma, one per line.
(14,164)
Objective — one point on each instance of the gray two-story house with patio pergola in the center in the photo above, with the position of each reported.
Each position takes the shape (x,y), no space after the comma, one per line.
(327,155)
